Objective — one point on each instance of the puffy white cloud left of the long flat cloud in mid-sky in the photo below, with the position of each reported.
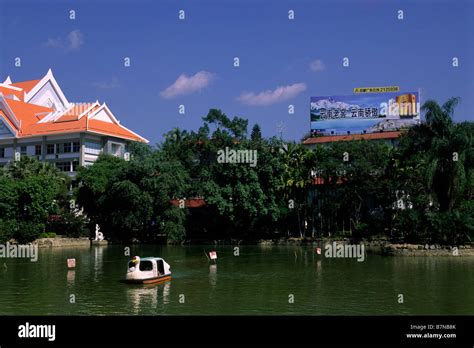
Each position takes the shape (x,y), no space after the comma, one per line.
(185,85)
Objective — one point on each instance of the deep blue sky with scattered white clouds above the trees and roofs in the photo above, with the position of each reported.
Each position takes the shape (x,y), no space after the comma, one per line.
(282,61)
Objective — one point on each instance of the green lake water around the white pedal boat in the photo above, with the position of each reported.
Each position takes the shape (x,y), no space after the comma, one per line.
(262,280)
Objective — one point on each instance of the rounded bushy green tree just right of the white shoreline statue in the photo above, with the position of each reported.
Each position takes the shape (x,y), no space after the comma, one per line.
(129,199)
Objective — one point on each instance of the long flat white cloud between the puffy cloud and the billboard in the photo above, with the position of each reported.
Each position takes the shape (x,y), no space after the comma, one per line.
(269,97)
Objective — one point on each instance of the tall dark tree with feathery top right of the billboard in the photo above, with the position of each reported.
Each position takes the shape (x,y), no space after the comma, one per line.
(435,163)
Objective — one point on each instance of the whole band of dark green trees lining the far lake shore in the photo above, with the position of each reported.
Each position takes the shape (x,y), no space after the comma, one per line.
(420,191)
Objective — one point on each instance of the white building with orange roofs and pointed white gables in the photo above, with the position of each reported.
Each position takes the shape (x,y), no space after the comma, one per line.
(37,120)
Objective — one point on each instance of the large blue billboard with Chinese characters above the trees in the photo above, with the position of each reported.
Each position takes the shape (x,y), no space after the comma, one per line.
(364,113)
